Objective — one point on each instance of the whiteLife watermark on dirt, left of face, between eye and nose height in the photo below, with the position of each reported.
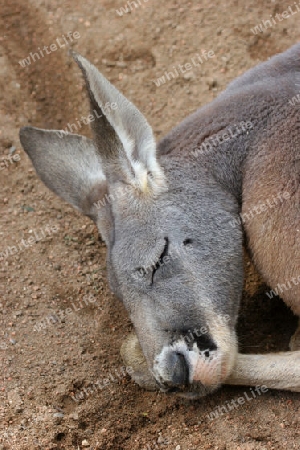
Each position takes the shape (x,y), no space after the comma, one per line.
(59,316)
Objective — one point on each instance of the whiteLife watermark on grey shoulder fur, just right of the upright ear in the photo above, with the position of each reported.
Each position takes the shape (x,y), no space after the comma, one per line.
(231,132)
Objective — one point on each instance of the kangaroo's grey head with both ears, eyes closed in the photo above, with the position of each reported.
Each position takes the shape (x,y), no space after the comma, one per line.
(172,253)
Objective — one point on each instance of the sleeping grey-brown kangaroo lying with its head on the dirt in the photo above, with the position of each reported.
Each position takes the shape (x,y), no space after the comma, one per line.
(170,215)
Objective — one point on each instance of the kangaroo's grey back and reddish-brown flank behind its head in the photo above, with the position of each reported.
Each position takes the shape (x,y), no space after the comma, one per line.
(258,166)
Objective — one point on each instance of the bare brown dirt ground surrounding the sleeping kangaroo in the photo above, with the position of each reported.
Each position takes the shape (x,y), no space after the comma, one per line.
(61,328)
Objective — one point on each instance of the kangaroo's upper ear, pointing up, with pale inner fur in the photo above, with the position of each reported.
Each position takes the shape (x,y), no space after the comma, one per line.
(122,134)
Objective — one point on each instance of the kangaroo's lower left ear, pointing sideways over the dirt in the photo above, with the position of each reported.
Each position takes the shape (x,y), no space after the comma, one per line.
(69,165)
